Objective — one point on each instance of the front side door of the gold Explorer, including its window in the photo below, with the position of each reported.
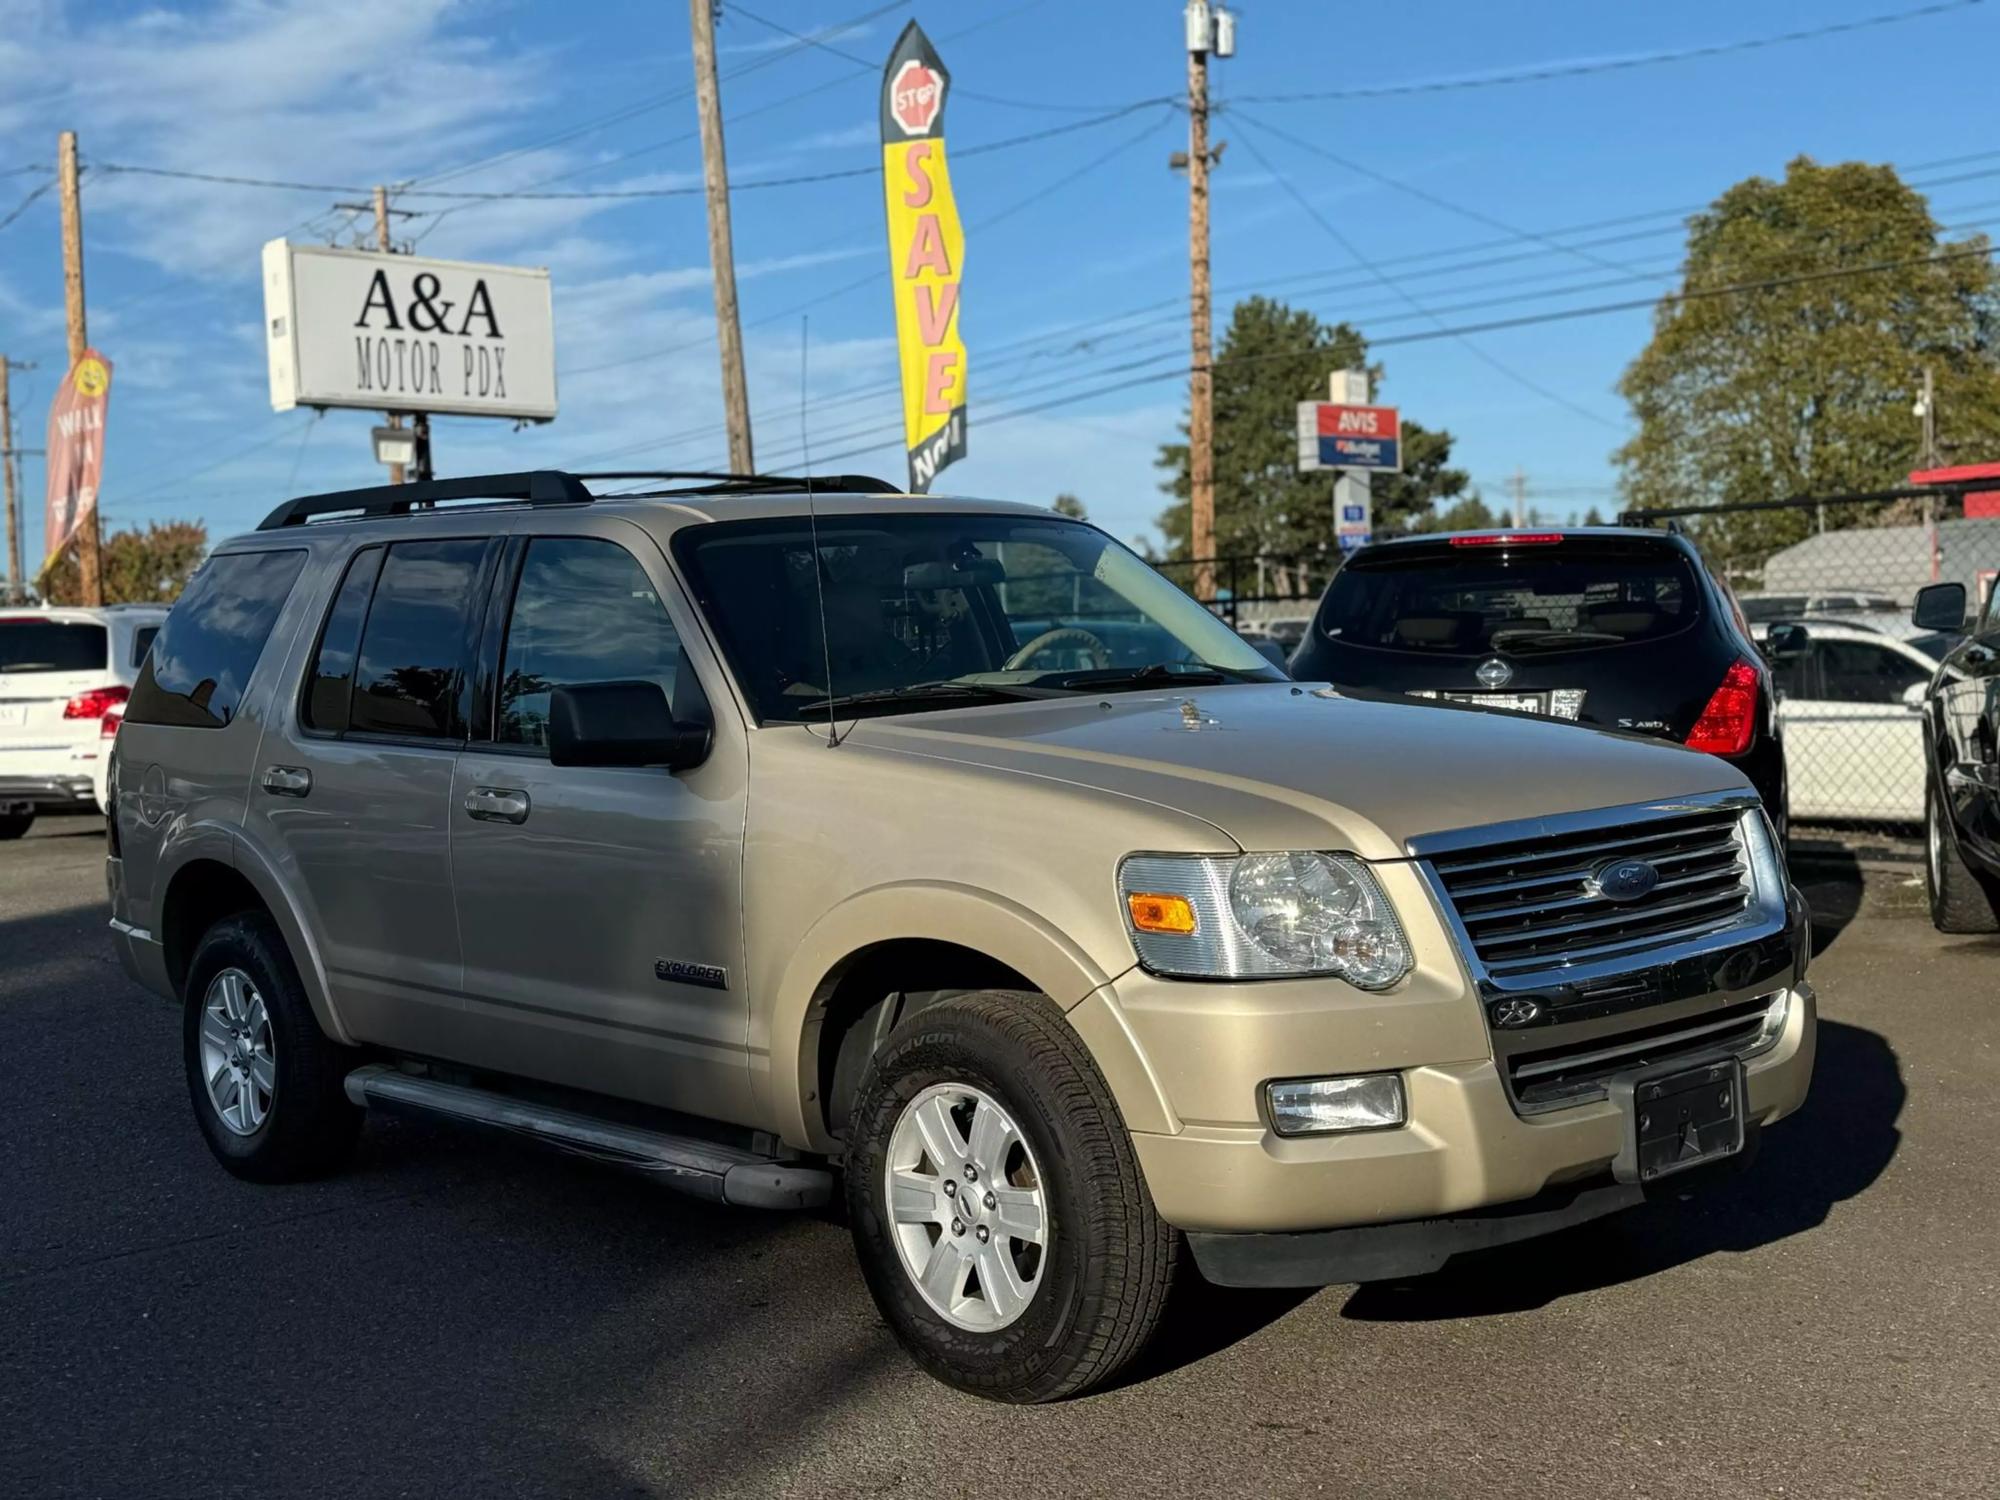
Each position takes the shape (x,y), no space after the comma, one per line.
(601,907)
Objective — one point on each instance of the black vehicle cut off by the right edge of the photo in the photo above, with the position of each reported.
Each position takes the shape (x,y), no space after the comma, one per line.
(1961,719)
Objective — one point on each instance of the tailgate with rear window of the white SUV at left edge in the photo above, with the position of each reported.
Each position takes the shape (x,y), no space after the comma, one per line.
(43,665)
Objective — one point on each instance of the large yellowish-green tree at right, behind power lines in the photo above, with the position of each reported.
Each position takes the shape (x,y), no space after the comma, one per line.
(1807,389)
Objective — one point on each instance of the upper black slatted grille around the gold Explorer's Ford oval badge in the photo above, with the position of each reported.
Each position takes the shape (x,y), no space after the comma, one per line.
(1533,905)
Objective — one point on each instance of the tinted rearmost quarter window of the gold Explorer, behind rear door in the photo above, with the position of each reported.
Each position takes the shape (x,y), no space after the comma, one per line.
(203,659)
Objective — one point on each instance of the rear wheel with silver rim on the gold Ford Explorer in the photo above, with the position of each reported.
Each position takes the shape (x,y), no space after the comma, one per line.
(263,1077)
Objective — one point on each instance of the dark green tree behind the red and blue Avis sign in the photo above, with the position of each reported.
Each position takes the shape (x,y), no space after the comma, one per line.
(1271,359)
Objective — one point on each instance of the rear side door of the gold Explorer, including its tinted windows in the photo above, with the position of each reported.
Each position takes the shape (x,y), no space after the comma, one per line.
(355,783)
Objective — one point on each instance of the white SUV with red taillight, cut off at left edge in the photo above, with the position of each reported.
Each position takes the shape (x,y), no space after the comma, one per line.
(63,673)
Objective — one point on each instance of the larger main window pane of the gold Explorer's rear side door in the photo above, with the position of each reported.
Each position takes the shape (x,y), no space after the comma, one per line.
(415,645)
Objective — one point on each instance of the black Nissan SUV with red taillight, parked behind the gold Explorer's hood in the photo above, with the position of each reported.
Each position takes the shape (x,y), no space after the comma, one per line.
(1621,629)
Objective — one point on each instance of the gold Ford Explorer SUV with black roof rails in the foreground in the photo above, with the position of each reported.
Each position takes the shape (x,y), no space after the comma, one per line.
(765,839)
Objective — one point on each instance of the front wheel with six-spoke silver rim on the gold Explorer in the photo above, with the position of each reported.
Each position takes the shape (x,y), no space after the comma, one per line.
(999,1207)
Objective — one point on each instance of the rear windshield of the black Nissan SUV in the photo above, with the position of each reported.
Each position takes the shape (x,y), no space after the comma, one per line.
(1481,599)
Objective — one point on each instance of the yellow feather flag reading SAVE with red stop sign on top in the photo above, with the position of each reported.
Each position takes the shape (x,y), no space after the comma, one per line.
(927,251)
